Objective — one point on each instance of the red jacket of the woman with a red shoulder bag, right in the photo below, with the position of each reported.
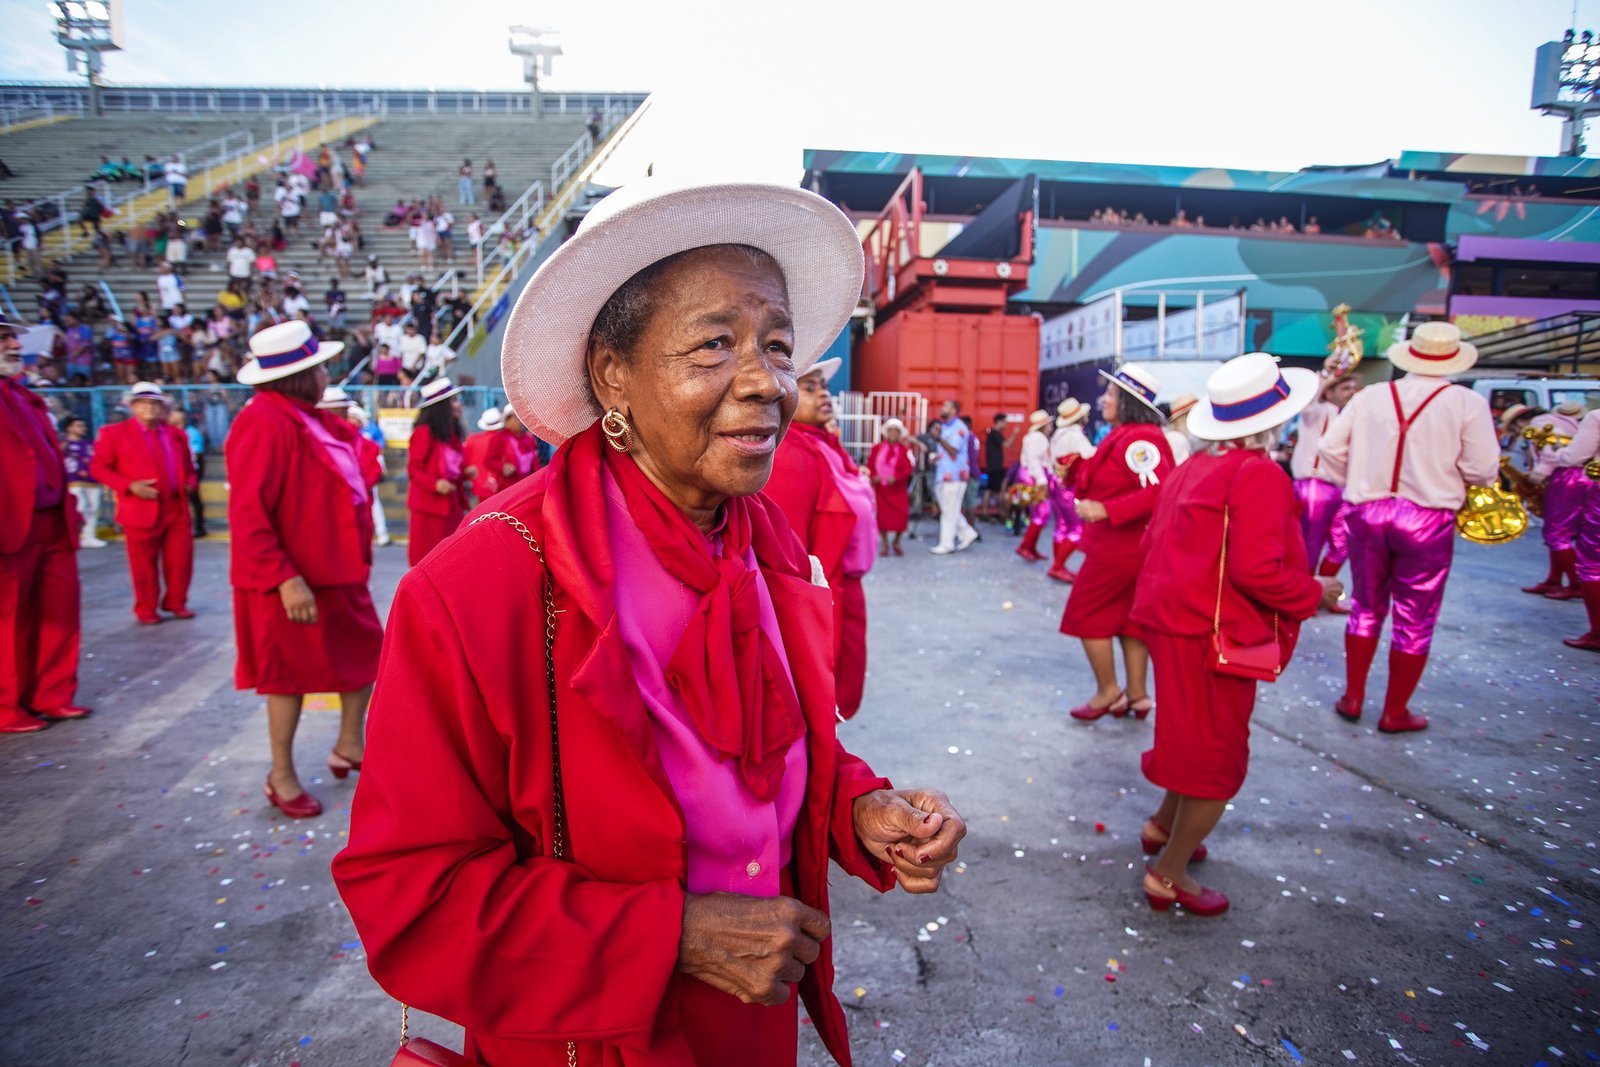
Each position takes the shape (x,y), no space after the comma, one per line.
(1266,557)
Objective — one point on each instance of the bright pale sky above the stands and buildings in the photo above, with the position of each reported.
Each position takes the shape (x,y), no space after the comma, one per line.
(745,86)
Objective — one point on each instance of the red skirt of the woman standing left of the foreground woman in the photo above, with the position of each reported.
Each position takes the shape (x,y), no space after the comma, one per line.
(338,653)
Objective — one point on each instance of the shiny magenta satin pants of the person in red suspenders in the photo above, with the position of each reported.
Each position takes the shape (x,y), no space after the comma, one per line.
(1399,553)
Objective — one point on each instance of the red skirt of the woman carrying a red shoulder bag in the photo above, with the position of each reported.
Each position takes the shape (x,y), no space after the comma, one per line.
(1202,721)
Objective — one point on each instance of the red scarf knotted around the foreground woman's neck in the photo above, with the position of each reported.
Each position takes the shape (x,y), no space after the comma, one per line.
(726,669)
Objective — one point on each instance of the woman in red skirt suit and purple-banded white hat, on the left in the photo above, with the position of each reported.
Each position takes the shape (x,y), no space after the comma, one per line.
(302,527)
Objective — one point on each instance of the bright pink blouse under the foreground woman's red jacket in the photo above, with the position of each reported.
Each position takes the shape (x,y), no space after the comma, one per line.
(737,844)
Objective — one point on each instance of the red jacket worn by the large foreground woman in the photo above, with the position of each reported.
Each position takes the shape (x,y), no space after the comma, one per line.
(460,909)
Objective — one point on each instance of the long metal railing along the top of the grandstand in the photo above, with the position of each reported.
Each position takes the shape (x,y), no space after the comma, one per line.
(73,98)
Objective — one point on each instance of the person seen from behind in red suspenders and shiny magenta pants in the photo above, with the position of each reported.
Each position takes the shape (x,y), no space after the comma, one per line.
(1406,455)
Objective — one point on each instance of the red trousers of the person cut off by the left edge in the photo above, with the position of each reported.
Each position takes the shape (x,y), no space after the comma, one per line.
(39,618)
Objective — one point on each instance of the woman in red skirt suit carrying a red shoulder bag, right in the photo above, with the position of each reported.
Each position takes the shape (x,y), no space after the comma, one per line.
(1223,556)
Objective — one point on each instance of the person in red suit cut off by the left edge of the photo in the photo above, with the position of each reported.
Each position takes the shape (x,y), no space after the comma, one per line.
(39,564)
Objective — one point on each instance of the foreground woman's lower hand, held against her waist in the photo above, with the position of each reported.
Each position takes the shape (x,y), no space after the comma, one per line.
(750,948)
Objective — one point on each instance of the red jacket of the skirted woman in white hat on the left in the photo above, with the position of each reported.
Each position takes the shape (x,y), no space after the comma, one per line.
(289,508)
